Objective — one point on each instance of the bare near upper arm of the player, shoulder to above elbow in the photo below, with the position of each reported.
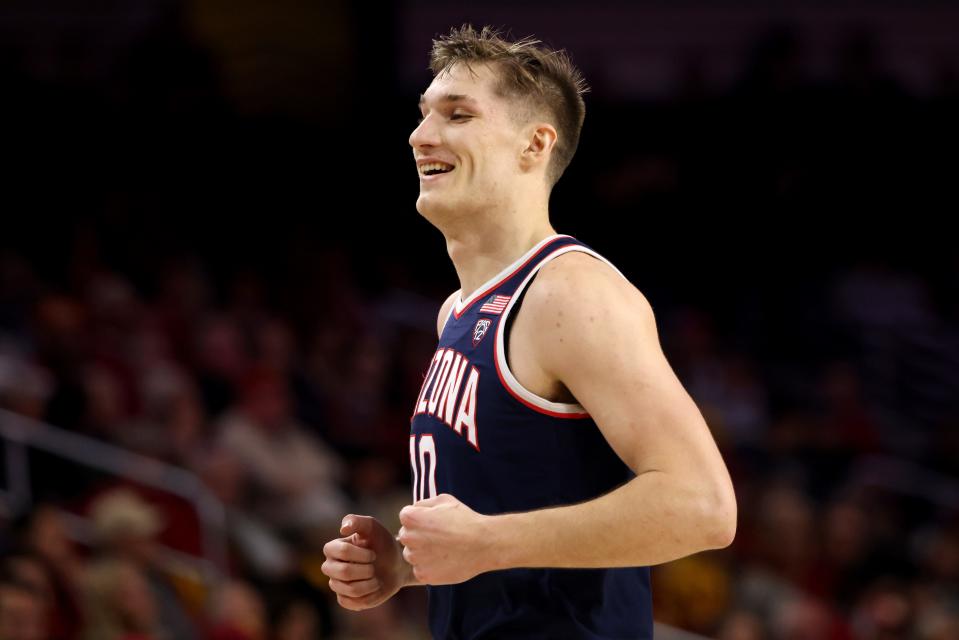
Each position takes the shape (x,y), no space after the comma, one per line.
(606,351)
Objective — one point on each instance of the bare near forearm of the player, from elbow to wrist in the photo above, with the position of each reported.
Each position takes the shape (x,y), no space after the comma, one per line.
(649,520)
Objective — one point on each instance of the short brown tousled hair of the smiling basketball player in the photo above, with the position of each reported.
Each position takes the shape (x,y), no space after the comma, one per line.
(528,70)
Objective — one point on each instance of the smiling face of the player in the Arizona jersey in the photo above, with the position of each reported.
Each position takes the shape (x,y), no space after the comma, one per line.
(468,145)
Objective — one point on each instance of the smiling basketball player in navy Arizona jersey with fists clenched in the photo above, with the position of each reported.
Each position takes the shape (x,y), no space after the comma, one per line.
(555,455)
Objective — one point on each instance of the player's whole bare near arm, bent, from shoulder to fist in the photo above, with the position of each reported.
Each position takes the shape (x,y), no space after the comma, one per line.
(595,334)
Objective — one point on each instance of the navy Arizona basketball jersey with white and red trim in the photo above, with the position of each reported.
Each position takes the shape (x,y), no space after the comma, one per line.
(481,436)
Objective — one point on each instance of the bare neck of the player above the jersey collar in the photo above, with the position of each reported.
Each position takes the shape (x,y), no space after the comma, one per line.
(481,249)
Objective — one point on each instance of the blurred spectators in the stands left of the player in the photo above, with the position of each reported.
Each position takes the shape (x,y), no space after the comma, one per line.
(289,432)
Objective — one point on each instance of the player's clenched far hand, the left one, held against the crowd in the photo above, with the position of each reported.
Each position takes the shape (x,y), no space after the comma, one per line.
(365,567)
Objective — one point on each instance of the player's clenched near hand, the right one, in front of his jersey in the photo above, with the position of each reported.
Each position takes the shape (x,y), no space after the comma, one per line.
(445,541)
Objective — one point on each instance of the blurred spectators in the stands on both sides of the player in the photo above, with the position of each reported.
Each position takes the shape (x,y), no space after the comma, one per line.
(848,510)
